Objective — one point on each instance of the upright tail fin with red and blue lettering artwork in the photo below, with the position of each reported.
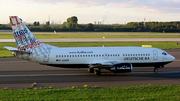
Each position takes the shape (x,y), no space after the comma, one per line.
(23,36)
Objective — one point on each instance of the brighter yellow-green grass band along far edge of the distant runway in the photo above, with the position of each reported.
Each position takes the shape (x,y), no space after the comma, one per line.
(55,36)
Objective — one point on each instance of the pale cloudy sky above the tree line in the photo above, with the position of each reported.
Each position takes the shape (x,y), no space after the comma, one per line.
(89,11)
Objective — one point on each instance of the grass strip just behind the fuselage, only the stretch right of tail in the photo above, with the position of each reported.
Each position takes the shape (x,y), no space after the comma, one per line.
(156,44)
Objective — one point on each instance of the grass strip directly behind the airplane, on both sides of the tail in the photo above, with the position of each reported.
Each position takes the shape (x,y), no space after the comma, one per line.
(161,45)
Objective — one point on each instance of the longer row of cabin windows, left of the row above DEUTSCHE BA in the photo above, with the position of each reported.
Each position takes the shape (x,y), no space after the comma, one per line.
(97,55)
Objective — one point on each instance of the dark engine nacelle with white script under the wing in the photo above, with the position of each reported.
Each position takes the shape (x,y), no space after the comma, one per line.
(122,68)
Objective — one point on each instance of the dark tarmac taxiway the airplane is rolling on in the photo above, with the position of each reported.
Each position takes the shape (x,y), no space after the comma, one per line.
(18,74)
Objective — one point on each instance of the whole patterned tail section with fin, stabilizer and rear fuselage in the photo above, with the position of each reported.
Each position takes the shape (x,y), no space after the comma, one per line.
(28,46)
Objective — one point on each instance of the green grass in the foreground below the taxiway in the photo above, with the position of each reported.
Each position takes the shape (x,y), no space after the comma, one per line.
(129,93)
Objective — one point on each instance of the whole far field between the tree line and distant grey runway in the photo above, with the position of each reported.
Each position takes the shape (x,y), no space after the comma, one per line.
(50,35)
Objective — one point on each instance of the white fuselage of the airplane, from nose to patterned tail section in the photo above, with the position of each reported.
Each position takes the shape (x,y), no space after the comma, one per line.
(139,56)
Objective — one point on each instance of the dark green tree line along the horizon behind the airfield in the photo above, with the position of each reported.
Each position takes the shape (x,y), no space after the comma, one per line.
(72,25)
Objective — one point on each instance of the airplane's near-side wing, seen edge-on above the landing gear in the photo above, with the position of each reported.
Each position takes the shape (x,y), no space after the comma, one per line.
(104,64)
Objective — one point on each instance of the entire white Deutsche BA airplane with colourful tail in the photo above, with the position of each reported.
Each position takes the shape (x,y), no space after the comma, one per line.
(114,59)
